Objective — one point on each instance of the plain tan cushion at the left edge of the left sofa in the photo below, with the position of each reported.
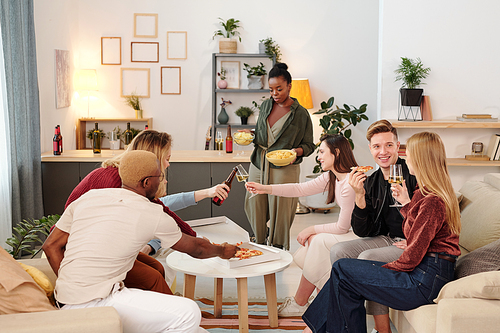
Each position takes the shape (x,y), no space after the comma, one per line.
(18,291)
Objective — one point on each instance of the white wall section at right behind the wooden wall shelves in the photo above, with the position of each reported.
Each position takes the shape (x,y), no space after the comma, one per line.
(458,40)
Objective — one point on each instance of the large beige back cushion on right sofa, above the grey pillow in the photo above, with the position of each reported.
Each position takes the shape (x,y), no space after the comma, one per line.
(480,212)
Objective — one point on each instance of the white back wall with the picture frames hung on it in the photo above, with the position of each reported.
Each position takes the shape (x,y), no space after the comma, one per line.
(333,43)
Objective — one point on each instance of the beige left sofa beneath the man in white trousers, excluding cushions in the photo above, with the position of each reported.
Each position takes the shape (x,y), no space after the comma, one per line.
(91,320)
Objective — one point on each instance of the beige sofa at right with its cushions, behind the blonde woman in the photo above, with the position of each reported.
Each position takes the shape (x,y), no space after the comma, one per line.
(471,303)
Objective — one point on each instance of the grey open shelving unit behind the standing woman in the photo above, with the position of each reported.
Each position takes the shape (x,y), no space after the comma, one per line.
(215,90)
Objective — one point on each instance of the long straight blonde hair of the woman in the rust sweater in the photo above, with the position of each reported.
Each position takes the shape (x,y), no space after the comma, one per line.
(428,158)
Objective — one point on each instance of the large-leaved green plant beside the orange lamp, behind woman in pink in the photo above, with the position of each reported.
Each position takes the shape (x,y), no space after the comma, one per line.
(336,121)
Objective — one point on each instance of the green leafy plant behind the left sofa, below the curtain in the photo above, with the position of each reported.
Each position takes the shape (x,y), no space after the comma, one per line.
(27,233)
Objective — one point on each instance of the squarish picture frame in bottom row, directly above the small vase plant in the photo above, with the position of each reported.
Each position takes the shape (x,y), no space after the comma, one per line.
(135,81)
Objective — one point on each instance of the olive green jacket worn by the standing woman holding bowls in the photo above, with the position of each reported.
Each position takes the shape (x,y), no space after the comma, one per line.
(297,132)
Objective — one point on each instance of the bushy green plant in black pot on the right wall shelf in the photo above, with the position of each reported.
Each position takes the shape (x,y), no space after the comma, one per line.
(411,72)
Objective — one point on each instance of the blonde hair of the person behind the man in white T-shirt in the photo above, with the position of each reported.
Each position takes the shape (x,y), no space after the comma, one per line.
(159,143)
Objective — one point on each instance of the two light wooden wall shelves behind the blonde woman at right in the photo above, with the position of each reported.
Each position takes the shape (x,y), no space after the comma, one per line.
(423,125)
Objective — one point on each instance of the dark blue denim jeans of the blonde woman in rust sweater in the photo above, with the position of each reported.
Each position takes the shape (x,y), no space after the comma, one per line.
(339,307)
